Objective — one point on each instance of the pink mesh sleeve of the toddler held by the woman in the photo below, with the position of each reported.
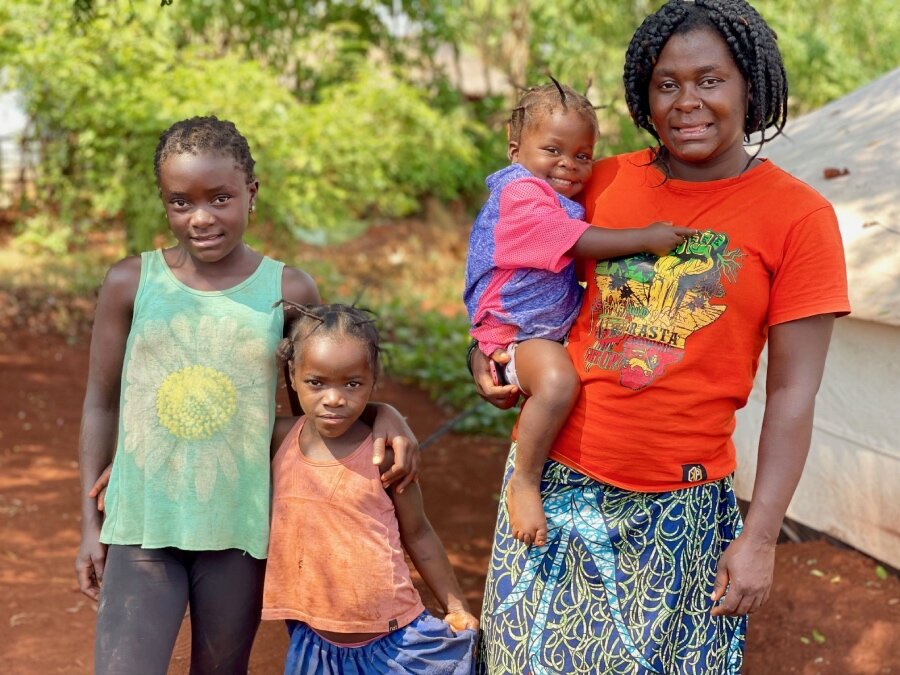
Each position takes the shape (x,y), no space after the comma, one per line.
(533,229)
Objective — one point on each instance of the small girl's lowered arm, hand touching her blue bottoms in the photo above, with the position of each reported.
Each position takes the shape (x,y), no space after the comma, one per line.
(428,555)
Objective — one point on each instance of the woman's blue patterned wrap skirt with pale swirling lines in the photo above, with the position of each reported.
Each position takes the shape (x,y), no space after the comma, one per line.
(622,585)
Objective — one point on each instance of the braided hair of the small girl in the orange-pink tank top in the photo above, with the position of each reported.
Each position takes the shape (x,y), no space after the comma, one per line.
(329,320)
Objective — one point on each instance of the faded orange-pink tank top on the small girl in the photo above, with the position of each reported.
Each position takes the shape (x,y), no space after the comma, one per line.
(335,558)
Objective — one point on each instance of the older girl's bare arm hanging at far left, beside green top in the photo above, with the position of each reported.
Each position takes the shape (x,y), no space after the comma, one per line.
(100,414)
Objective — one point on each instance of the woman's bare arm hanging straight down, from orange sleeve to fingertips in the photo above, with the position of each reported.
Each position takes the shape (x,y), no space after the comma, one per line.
(797,351)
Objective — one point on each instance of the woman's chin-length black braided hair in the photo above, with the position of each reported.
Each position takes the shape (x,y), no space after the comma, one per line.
(750,40)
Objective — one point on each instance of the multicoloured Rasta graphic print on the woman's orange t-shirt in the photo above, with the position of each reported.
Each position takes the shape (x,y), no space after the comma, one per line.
(646,307)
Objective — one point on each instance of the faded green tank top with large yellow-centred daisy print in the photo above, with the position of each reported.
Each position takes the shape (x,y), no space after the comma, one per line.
(196,412)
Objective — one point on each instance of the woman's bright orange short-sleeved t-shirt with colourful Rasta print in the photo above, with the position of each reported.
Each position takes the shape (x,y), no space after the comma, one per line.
(667,348)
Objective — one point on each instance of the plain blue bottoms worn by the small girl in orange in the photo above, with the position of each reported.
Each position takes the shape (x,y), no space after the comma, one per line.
(427,646)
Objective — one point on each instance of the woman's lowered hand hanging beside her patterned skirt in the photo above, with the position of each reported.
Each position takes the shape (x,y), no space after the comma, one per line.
(744,576)
